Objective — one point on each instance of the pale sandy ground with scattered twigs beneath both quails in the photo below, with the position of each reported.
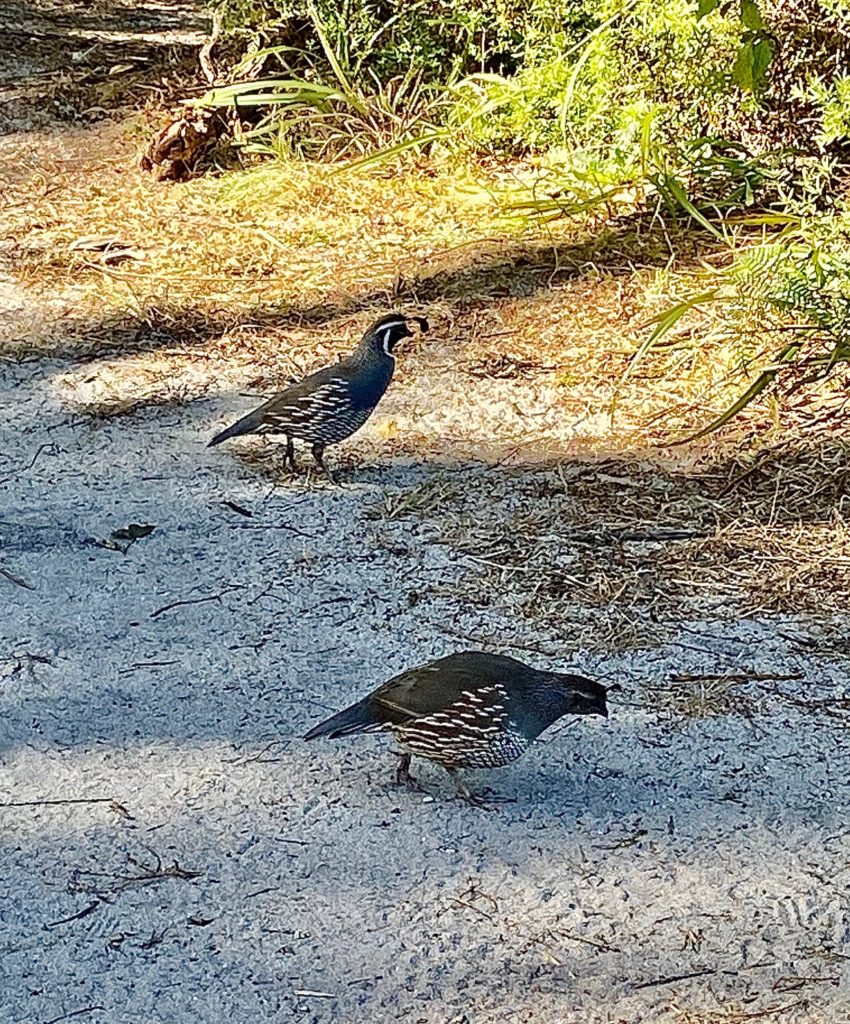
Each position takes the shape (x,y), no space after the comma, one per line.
(172,850)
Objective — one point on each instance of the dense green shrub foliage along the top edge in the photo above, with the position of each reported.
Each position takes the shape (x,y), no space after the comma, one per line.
(578,76)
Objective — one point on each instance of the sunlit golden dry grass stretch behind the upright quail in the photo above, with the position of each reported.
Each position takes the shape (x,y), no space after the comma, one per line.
(226,264)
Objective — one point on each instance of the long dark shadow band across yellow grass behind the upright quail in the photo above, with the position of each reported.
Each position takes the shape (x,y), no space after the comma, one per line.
(488,274)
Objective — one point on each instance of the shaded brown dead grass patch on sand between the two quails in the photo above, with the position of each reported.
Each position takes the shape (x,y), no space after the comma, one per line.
(615,553)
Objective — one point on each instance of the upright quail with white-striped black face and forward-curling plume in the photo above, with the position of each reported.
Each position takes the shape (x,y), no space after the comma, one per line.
(330,405)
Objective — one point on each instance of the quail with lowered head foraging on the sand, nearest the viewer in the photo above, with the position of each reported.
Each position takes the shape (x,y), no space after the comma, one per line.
(471,710)
